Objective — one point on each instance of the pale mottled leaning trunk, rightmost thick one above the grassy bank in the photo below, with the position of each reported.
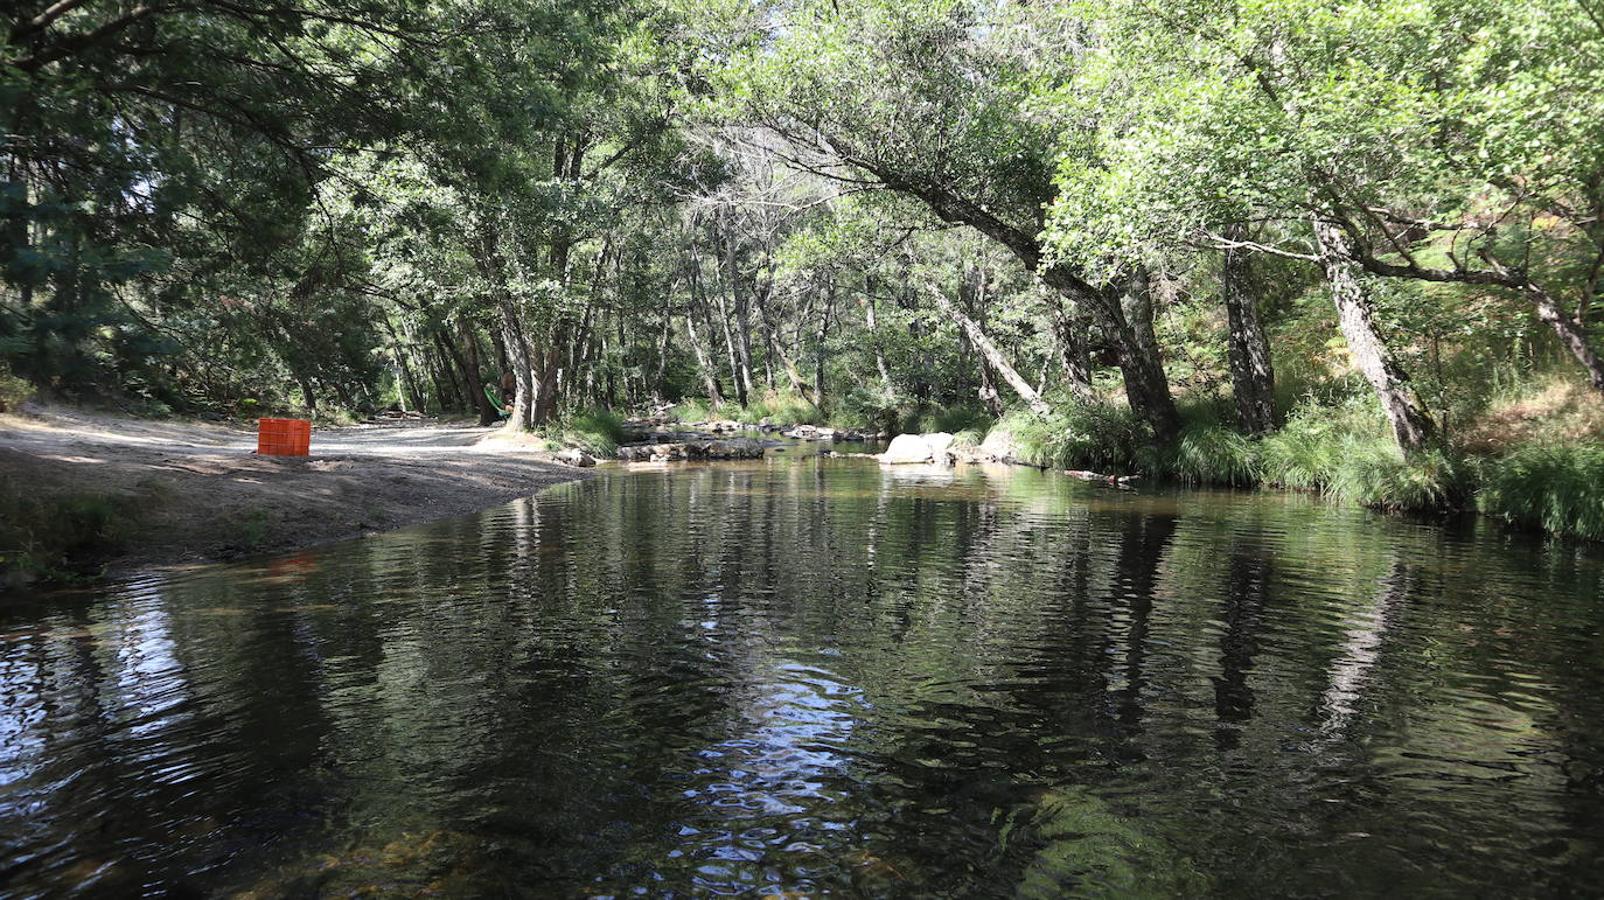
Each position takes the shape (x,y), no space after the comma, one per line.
(1412,426)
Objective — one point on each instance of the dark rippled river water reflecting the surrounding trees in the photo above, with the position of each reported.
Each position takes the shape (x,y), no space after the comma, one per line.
(816,676)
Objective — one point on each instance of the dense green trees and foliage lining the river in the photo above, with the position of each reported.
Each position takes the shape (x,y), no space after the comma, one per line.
(1329,246)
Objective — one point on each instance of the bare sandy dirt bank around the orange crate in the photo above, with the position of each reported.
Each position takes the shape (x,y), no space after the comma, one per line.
(200,493)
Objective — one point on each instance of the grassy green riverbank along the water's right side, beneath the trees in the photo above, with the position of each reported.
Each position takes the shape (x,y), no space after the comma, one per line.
(1531,453)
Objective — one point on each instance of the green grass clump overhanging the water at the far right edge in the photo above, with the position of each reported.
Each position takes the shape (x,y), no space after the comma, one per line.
(1555,487)
